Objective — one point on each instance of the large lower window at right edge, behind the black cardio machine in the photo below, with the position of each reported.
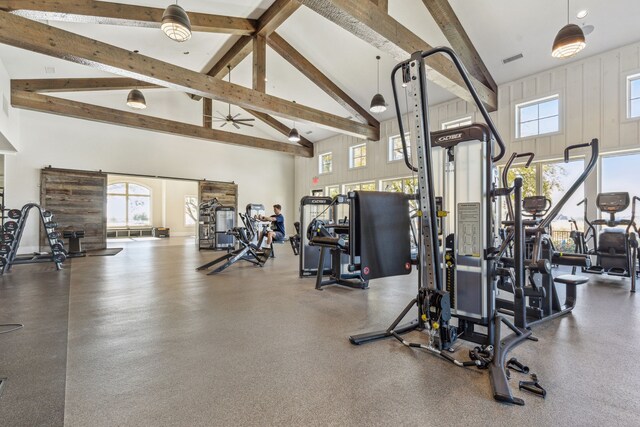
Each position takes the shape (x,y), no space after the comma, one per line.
(618,174)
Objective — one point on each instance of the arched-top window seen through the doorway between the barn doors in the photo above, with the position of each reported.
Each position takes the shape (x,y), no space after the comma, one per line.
(128,205)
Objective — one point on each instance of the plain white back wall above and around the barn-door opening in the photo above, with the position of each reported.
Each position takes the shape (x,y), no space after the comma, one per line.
(262,176)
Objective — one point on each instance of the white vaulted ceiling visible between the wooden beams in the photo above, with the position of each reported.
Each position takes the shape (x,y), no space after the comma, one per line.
(498,28)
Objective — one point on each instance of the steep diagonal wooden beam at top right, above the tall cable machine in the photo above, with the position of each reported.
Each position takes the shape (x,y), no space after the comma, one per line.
(453,30)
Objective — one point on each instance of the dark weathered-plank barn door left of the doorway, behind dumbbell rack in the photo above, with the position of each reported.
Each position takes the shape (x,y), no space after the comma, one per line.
(77,199)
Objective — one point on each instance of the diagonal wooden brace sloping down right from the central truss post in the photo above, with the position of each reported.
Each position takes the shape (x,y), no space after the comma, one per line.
(303,65)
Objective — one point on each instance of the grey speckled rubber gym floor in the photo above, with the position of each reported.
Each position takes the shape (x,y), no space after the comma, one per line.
(142,339)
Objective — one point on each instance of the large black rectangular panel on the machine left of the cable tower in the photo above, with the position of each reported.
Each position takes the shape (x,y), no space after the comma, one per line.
(380,234)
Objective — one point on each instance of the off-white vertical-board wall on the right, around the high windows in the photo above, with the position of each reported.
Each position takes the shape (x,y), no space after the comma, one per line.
(592,105)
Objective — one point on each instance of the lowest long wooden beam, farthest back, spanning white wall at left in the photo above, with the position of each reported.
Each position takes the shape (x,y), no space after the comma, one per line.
(80,110)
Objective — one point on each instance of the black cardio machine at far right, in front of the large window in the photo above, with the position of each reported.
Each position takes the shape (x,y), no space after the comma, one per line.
(615,249)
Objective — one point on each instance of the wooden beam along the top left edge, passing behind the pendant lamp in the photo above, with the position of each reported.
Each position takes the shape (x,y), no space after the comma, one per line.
(101,12)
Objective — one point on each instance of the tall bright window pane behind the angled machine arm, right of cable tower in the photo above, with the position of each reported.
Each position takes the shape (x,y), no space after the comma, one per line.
(557,178)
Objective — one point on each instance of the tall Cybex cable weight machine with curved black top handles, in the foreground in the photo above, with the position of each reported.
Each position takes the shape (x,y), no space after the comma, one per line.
(468,295)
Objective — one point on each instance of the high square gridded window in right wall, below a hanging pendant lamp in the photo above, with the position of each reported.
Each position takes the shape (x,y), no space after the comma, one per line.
(538,117)
